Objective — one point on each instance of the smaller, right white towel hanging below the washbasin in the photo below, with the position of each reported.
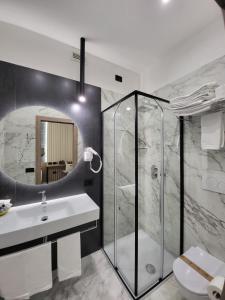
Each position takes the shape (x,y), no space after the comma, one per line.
(69,256)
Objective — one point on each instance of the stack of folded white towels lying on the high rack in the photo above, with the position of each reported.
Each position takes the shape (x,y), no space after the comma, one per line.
(199,101)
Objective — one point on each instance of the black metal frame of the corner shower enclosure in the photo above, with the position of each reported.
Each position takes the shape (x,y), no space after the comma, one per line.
(137,93)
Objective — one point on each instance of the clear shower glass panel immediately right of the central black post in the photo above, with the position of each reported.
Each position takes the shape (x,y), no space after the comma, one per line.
(150,197)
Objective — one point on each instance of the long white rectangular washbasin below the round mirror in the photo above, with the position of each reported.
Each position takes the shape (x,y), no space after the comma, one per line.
(24,223)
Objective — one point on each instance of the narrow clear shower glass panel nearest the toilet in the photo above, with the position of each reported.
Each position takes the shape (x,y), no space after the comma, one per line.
(172,183)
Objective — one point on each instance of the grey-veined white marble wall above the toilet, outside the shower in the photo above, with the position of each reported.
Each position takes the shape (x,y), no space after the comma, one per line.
(204,221)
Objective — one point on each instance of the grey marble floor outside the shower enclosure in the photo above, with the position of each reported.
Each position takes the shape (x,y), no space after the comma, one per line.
(100,282)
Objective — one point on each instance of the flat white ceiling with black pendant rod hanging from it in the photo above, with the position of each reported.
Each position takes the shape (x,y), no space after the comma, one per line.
(132,33)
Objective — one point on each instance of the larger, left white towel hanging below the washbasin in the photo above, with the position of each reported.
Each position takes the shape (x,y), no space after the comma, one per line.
(26,272)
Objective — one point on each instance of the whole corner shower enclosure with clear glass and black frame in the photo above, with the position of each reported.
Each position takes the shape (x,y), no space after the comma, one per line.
(141,190)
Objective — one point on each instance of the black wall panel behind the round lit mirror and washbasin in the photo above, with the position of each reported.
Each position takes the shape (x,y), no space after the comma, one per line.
(19,87)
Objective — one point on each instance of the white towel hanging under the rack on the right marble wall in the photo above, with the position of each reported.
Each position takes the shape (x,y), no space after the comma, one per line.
(212,131)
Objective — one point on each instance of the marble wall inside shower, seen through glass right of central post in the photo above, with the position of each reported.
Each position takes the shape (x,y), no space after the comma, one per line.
(150,130)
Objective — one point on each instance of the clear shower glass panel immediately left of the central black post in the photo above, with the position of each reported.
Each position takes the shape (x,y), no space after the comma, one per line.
(125,190)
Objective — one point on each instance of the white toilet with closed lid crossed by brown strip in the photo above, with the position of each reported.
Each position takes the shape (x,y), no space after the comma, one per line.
(192,285)
